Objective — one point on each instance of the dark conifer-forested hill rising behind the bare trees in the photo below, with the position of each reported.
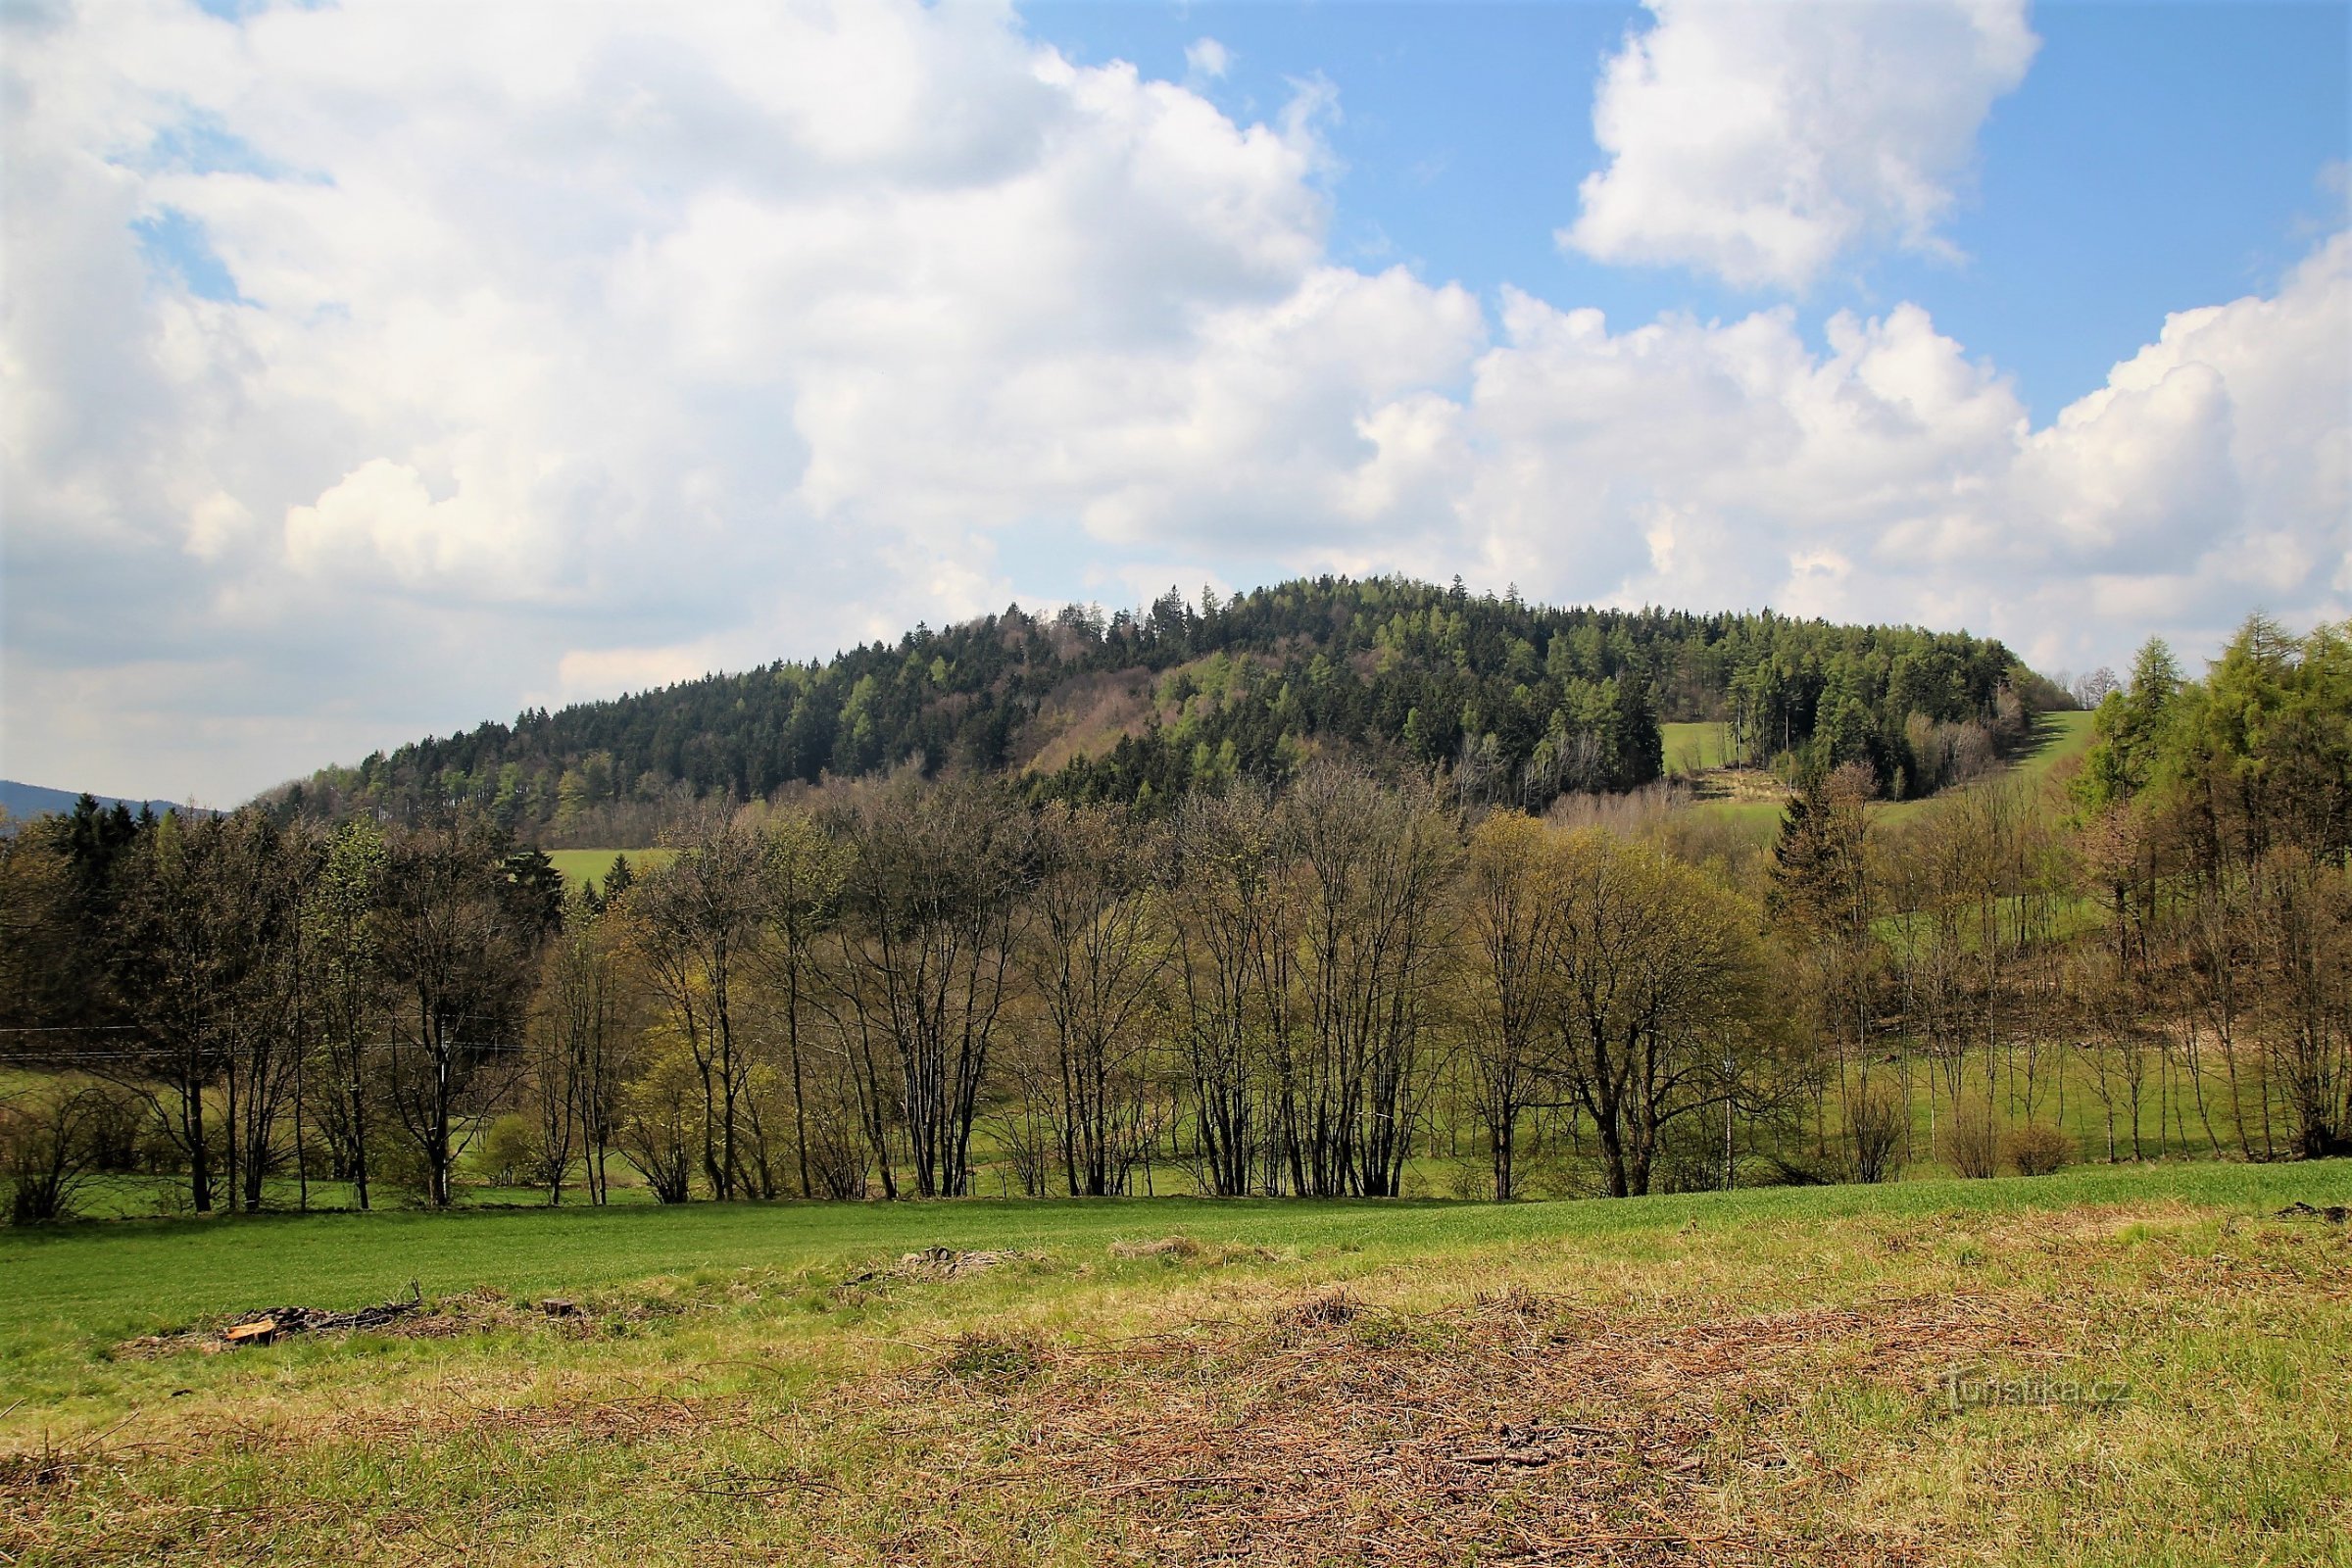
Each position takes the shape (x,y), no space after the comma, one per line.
(1530,702)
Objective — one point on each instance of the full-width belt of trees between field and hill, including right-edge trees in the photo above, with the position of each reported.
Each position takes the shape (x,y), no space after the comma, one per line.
(897,986)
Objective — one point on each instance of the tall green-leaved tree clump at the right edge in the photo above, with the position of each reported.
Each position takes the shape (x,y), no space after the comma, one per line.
(2217,838)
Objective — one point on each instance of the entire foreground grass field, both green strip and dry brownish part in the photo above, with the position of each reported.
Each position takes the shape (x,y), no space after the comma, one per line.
(2104,1367)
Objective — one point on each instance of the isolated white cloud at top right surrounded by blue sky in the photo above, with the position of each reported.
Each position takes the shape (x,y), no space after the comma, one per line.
(1760,142)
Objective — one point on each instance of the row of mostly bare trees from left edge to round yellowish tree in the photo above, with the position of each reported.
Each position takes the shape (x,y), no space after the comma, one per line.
(871,996)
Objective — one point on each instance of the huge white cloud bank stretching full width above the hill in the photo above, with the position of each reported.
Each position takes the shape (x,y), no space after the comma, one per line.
(561,351)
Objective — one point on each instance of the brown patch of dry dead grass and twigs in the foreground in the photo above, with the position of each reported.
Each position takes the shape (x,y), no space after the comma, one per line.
(1337,1430)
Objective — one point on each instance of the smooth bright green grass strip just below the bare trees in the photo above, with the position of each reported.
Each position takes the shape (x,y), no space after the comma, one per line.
(112,1280)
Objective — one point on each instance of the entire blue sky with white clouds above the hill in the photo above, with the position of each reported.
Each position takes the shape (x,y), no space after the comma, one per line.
(373,370)
